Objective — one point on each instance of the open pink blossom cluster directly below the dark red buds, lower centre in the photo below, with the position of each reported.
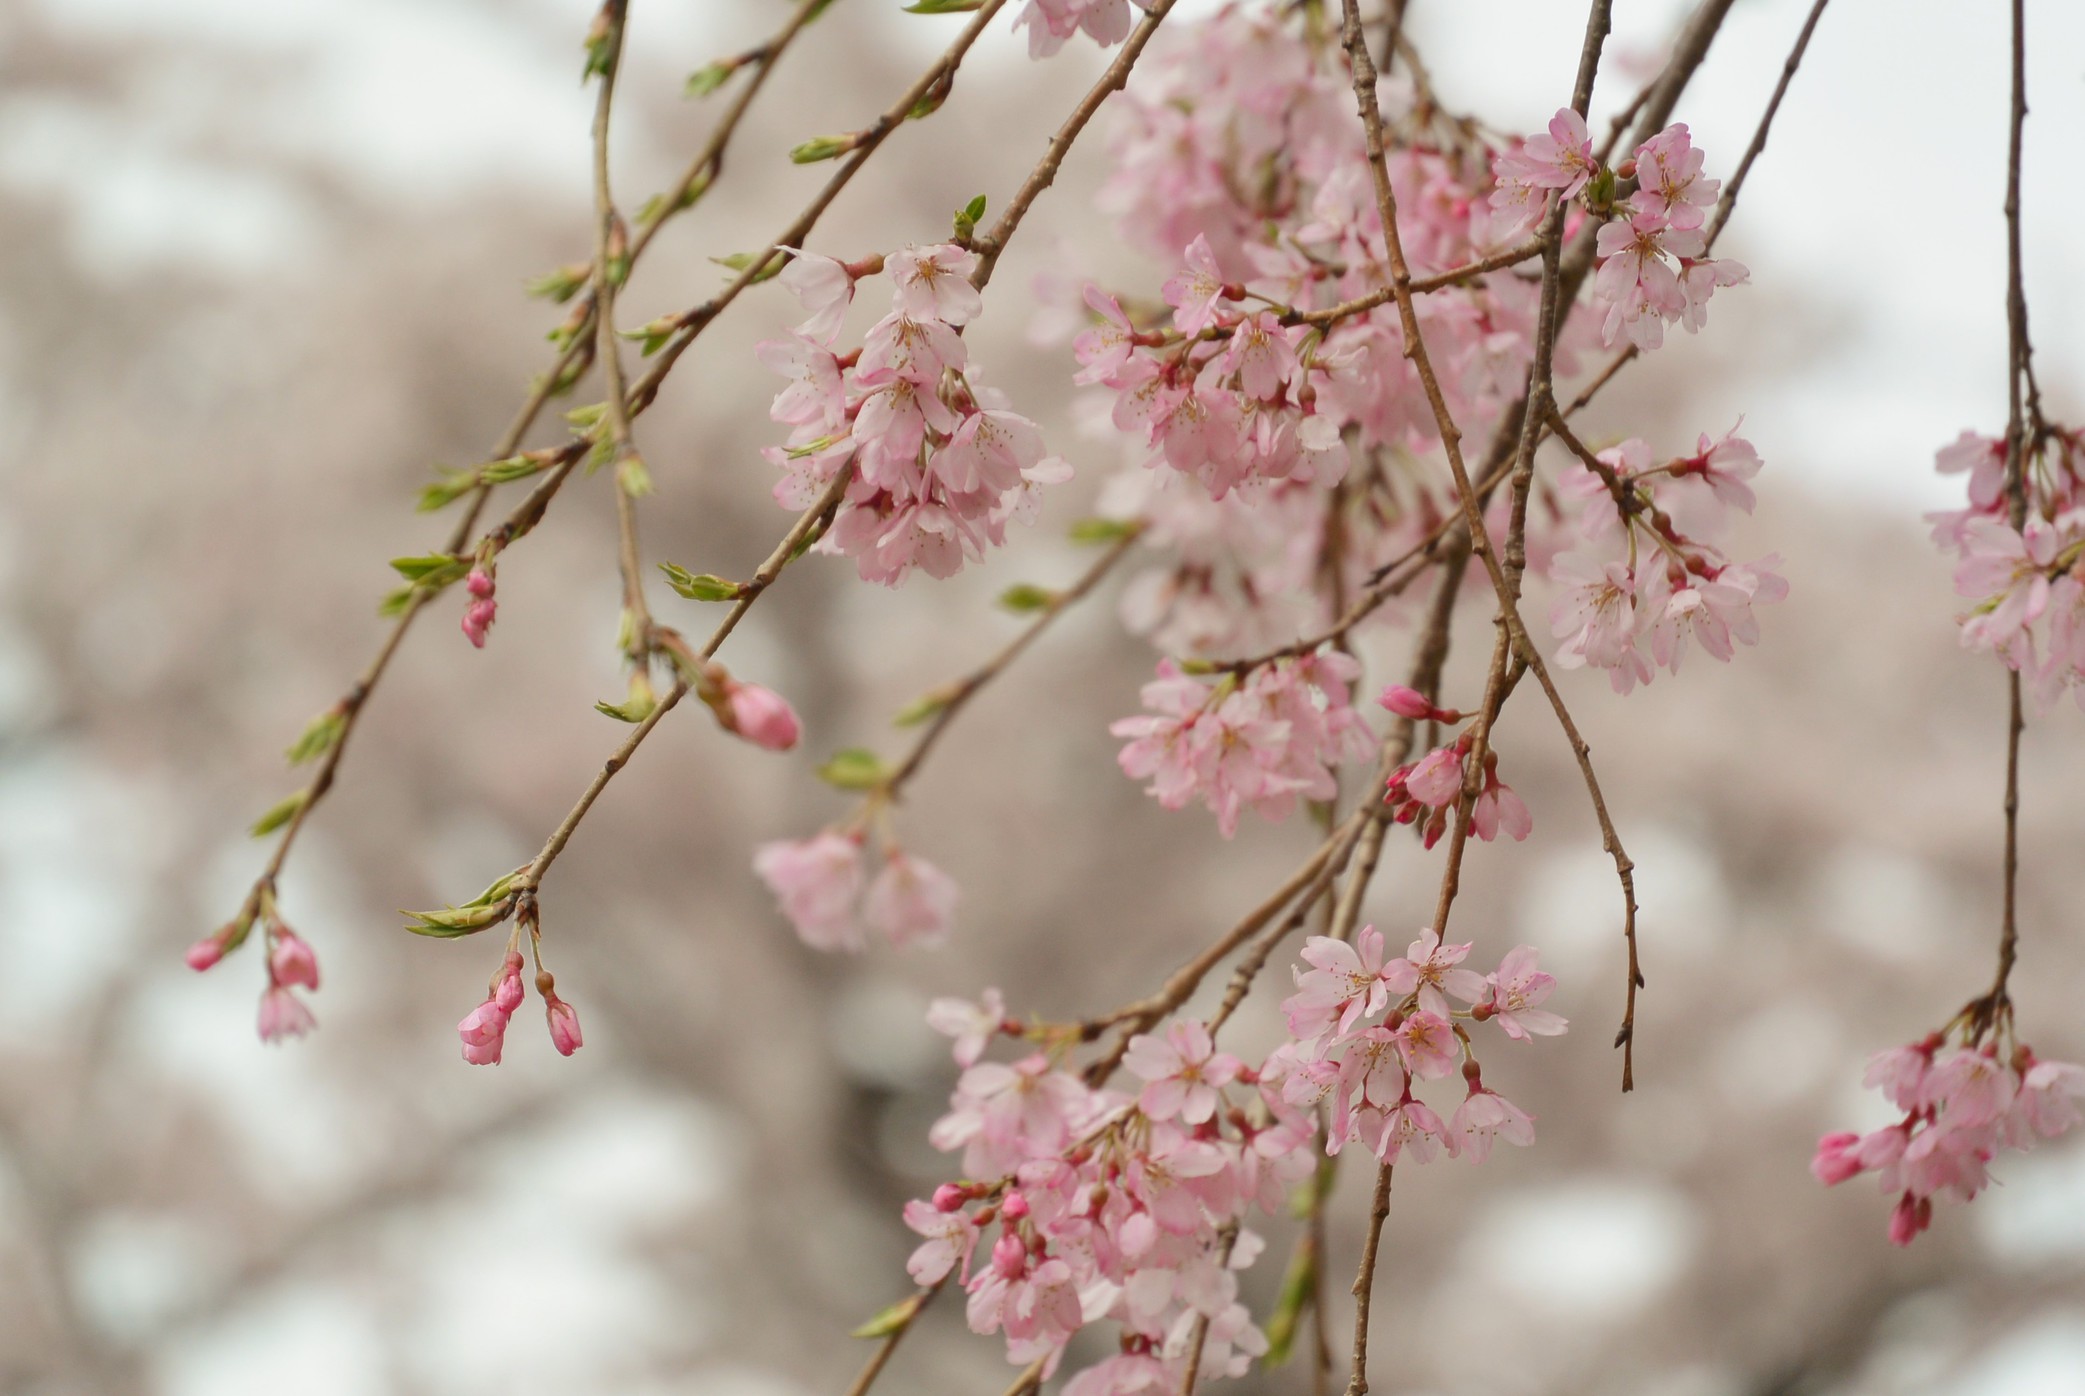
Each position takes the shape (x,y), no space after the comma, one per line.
(1363,1068)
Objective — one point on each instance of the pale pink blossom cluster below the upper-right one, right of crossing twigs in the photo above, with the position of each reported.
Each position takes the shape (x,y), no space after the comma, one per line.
(1644,582)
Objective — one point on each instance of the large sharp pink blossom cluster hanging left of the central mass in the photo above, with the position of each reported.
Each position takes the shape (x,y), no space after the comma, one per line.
(937,464)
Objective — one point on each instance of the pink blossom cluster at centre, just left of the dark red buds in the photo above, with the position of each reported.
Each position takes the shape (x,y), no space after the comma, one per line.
(1258,743)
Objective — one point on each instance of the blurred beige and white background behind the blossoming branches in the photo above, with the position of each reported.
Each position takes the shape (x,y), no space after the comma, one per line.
(264,272)
